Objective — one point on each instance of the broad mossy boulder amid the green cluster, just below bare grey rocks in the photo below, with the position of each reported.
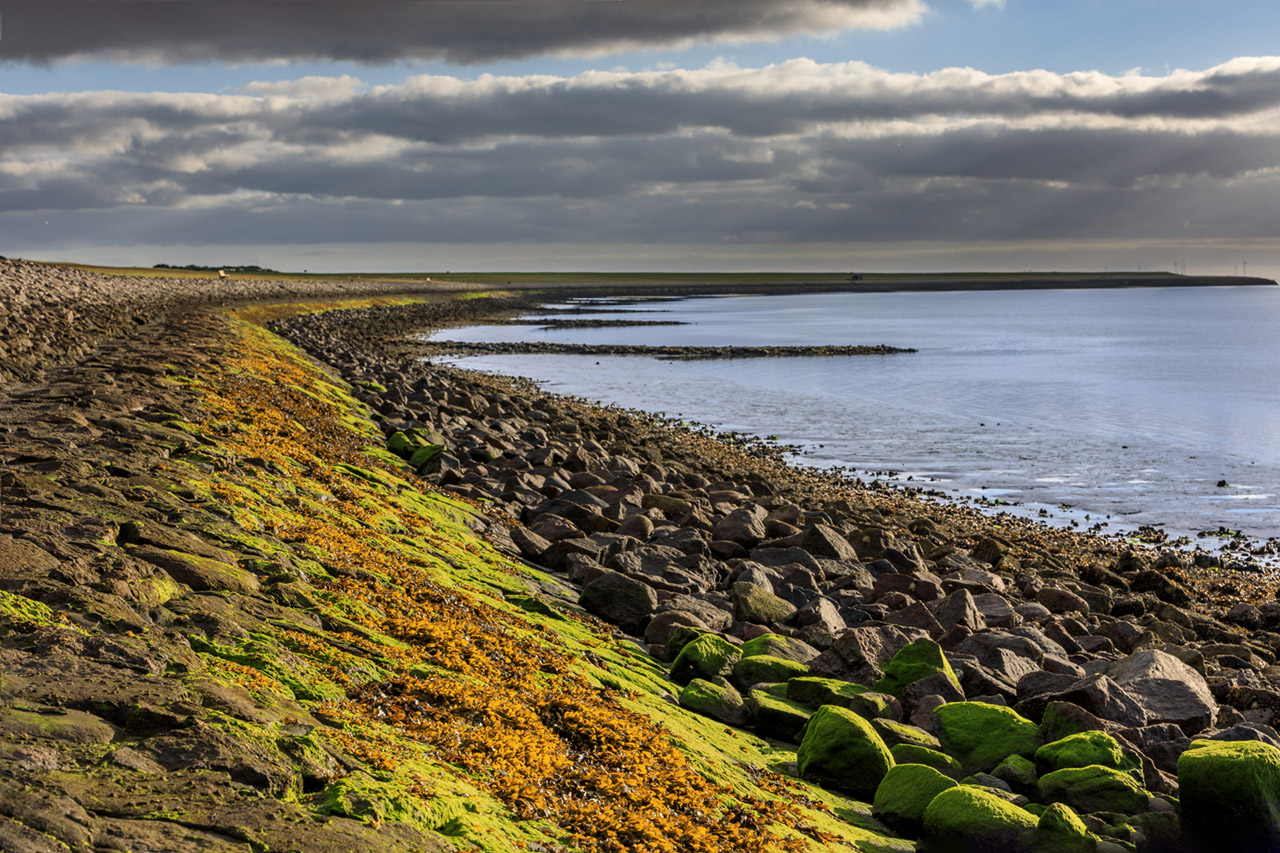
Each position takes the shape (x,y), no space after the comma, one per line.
(982,736)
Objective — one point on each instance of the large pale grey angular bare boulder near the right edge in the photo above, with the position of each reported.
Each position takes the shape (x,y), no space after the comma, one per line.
(1168,690)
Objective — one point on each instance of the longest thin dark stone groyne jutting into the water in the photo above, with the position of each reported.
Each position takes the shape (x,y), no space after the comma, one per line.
(666,354)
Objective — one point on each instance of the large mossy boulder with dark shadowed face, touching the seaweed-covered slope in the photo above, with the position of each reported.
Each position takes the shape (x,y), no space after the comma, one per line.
(843,751)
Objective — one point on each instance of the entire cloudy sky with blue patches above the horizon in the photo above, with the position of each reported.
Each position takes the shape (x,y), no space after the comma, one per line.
(811,135)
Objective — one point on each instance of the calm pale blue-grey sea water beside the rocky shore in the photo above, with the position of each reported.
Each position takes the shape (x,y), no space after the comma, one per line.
(1128,405)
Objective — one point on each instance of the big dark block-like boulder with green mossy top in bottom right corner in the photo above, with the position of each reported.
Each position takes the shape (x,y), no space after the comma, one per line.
(1231,791)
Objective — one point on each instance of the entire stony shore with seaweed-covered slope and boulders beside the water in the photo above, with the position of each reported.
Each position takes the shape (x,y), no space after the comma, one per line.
(249,603)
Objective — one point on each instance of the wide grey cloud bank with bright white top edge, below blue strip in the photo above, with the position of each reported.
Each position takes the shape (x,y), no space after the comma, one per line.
(792,153)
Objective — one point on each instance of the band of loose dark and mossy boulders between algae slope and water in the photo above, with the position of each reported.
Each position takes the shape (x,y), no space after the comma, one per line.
(988,685)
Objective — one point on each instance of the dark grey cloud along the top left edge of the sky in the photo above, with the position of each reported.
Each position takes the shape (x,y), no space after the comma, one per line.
(383,31)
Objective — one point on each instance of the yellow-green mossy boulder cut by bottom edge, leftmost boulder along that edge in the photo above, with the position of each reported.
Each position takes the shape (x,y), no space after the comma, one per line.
(976,822)
